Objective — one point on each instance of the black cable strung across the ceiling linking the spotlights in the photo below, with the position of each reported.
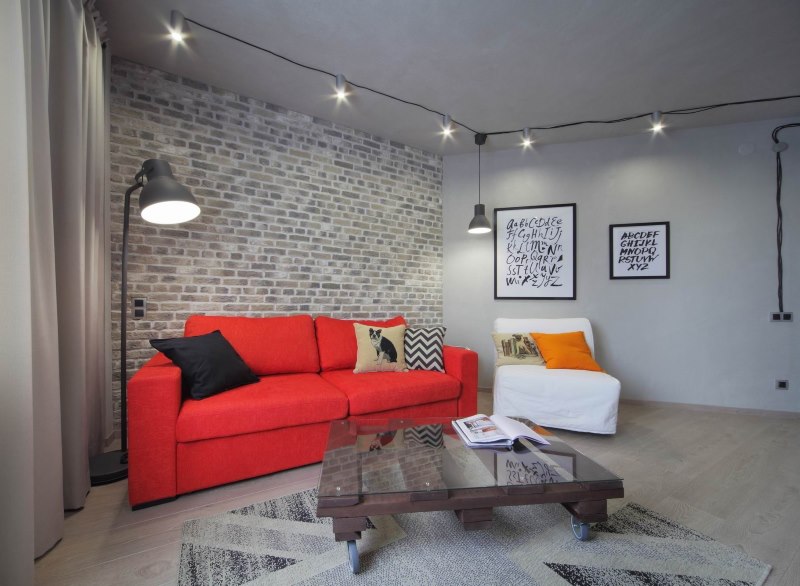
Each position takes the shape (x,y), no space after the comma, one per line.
(677,111)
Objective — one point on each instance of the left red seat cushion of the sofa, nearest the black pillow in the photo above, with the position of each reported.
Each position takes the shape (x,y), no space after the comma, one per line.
(274,402)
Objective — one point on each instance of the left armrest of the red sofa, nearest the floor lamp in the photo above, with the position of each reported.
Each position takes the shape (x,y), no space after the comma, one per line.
(154,400)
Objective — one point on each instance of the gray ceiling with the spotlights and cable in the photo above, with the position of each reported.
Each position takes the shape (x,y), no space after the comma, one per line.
(495,66)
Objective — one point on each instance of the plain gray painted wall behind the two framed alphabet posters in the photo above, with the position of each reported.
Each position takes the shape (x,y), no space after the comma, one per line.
(700,337)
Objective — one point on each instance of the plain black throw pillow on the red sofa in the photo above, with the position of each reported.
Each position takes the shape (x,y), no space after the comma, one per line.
(208,363)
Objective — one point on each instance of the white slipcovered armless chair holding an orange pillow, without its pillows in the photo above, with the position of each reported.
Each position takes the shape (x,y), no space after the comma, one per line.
(577,400)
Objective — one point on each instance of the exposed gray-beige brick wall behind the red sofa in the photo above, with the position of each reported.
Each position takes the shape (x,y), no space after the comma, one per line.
(299,215)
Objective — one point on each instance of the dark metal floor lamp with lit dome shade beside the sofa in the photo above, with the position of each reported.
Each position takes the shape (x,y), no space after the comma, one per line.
(163,201)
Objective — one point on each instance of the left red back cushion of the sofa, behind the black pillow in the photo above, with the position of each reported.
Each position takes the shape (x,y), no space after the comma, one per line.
(268,345)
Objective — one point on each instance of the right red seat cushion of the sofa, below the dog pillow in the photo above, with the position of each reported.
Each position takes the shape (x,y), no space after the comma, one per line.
(372,392)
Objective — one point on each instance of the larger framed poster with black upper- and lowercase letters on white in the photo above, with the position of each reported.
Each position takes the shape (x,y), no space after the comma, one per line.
(534,252)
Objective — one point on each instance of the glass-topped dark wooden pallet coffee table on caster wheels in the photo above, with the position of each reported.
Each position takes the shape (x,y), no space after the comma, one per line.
(418,465)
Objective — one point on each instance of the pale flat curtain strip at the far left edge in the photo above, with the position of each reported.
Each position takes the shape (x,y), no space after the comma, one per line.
(16,360)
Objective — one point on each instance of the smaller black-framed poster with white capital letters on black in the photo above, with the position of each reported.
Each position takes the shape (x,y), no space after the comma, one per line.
(639,251)
